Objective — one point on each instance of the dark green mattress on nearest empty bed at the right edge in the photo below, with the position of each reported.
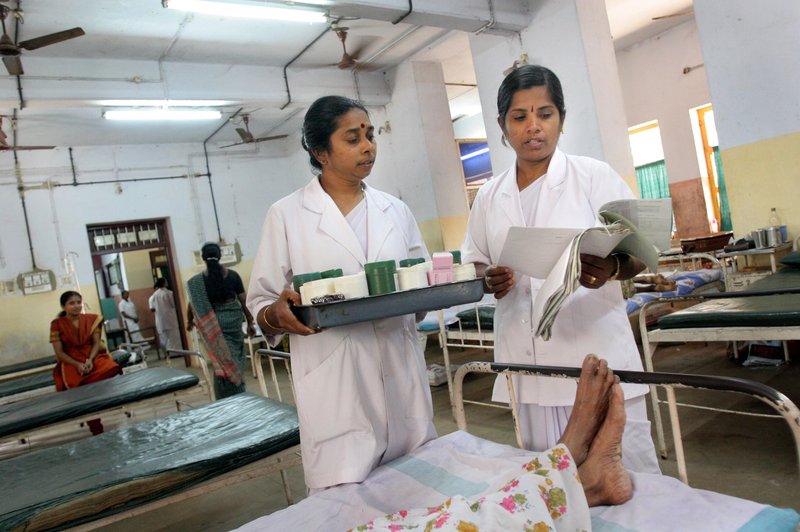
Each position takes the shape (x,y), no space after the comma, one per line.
(756,311)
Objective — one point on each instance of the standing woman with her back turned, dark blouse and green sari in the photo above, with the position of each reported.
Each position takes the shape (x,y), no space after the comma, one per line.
(217,307)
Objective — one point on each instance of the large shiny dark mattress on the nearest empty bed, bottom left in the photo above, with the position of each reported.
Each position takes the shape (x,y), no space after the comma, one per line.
(180,450)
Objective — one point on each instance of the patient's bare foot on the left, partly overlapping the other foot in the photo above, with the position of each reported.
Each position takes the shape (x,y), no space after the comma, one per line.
(589,410)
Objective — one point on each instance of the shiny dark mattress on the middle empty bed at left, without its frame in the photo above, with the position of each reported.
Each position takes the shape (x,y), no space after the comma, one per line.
(52,408)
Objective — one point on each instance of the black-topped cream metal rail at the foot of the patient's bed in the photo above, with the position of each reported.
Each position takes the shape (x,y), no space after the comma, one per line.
(782,404)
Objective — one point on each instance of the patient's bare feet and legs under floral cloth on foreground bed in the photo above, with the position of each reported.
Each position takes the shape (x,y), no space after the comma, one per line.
(556,489)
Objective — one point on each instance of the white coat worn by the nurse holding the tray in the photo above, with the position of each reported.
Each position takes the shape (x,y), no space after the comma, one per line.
(362,390)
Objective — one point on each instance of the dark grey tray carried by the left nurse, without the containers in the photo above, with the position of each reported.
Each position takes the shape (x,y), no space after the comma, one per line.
(387,305)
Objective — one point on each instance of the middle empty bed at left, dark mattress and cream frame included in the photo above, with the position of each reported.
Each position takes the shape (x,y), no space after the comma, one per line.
(88,410)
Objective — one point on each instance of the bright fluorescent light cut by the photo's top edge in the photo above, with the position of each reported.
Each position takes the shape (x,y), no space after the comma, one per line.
(246,9)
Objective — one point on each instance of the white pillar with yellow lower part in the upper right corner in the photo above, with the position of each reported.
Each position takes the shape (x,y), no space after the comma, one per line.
(753,68)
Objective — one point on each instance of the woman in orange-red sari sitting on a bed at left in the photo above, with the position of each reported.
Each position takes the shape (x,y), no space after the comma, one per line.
(81,357)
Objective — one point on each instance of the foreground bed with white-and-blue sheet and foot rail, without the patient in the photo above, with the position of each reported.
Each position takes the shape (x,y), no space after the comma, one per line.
(462,464)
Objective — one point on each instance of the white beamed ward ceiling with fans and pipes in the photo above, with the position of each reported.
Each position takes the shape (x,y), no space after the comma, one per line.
(266,70)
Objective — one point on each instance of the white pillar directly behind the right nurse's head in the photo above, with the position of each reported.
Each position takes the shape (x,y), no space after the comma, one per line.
(572,38)
